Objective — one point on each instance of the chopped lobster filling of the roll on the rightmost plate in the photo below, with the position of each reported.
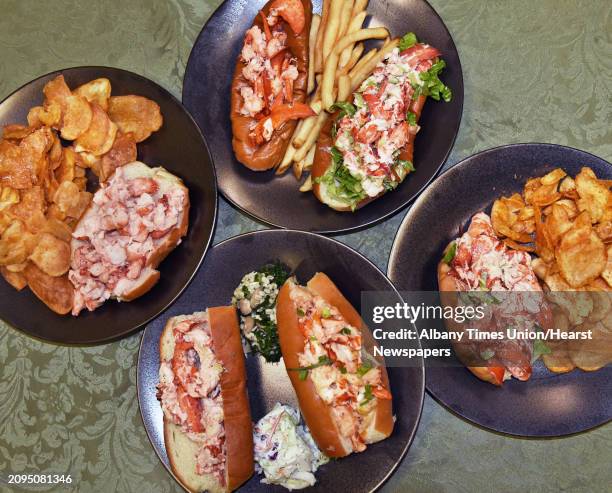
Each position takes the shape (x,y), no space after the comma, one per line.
(502,280)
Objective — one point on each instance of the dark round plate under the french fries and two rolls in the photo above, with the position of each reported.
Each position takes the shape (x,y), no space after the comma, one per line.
(277,200)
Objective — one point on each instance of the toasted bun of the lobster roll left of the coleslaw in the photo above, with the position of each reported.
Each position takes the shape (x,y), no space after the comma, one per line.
(181,450)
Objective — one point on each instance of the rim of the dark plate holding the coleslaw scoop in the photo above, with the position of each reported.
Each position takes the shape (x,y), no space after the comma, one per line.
(421,376)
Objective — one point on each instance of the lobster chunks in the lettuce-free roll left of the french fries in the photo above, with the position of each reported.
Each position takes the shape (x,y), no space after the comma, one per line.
(271,70)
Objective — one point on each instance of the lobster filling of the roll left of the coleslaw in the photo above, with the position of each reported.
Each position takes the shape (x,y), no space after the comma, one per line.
(189,390)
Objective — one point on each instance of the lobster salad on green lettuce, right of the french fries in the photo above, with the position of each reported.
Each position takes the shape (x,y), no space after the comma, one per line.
(373,128)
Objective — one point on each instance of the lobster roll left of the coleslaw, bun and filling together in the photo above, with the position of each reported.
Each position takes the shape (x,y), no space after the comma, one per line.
(202,389)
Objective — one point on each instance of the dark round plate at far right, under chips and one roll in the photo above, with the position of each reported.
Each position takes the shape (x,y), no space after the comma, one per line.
(547,404)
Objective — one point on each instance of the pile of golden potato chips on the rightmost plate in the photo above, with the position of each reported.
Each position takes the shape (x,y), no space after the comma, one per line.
(567,223)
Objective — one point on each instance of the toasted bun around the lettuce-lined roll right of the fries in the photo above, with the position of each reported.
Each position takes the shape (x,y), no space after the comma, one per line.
(323,161)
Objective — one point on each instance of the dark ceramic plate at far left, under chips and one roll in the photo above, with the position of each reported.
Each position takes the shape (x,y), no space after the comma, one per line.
(180,148)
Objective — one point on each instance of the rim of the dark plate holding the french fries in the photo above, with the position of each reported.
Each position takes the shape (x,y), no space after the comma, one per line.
(387,215)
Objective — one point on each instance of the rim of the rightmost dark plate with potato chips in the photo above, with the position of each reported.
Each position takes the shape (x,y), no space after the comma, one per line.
(392,261)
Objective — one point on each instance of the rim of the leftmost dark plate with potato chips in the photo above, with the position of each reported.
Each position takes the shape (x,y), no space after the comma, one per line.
(141,325)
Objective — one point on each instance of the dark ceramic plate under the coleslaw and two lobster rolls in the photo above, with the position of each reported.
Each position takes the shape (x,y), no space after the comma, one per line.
(305,254)
